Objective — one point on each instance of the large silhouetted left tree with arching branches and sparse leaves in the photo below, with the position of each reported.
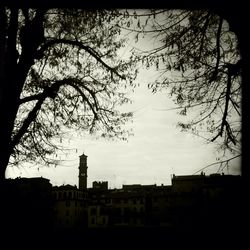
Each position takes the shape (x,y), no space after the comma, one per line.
(60,72)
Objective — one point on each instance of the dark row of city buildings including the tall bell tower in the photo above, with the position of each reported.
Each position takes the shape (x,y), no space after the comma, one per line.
(192,202)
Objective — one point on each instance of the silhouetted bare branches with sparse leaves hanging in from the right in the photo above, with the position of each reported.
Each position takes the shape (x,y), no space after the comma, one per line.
(198,62)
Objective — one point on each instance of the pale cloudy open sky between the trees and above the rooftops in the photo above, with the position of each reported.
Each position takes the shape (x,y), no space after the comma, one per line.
(157,150)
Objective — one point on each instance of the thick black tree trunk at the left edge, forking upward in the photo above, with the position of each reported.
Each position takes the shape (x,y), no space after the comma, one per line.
(13,73)
